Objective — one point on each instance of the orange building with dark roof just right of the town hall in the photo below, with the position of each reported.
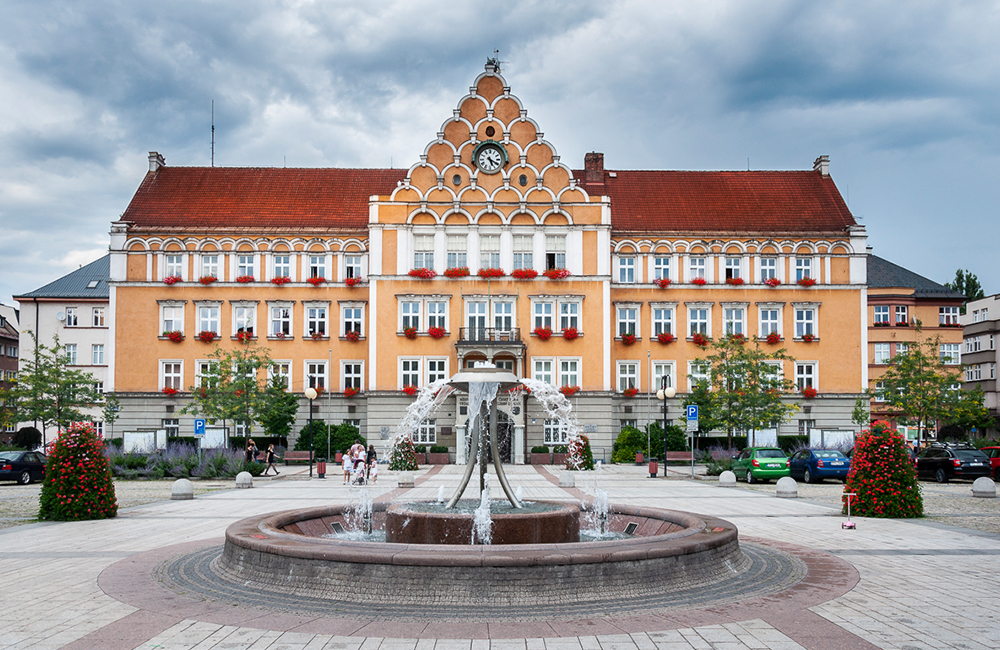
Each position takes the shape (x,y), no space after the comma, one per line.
(897,300)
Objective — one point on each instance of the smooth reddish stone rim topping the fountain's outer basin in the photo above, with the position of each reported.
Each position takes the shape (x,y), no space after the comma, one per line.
(262,533)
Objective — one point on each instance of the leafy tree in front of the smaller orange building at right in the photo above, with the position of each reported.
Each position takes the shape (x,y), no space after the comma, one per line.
(925,391)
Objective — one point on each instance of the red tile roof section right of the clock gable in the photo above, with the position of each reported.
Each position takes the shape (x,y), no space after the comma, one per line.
(764,201)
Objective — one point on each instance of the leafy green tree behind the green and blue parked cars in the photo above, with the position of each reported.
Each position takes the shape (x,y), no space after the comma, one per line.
(747,388)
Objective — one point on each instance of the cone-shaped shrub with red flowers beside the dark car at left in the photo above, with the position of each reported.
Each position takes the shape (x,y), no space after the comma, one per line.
(78,481)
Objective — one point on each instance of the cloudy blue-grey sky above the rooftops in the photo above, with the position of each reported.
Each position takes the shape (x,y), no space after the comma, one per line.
(902,96)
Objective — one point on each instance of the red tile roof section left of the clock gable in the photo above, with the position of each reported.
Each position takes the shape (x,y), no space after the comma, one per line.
(257,197)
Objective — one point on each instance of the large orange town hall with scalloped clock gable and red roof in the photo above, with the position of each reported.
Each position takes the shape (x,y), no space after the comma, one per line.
(211,253)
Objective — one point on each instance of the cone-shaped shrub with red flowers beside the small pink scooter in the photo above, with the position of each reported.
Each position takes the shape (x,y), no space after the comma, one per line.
(882,476)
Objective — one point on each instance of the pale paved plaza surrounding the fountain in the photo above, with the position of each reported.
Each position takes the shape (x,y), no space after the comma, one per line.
(888,584)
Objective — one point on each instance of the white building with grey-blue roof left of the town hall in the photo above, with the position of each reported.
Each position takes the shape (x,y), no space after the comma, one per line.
(75,308)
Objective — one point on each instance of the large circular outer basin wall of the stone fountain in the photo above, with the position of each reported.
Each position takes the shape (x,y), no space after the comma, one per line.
(287,552)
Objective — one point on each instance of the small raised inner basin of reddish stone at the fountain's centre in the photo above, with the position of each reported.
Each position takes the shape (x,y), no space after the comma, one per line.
(428,523)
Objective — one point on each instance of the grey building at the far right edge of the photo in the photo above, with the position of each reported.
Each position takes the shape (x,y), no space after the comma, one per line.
(981,323)
